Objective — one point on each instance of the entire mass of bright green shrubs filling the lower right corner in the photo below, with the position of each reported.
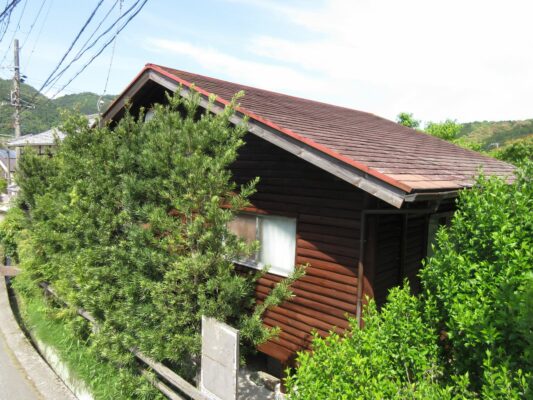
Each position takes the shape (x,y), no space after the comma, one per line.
(469,335)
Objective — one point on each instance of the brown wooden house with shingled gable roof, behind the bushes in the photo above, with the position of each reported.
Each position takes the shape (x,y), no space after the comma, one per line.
(356,197)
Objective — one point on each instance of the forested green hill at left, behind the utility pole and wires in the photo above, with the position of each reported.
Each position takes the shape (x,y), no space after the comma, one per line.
(46,112)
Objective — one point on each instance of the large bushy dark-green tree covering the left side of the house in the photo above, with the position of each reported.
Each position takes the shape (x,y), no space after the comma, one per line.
(131,225)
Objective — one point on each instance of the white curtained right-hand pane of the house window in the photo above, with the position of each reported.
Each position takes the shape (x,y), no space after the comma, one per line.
(278,244)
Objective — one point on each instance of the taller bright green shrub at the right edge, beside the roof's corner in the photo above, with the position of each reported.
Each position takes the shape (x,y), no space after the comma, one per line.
(478,280)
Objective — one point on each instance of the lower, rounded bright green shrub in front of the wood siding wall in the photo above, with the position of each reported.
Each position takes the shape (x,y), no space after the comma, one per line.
(395,356)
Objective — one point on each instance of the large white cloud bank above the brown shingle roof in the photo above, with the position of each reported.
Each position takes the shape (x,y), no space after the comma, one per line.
(459,59)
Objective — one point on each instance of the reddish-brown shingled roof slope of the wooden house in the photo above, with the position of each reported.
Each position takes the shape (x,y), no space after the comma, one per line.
(404,157)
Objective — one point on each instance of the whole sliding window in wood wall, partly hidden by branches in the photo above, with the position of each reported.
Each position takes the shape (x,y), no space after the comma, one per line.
(277,239)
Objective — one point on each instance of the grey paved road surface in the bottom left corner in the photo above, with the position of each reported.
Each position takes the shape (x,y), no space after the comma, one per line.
(14,384)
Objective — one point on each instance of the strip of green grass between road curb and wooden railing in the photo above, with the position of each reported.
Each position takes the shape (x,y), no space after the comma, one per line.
(64,332)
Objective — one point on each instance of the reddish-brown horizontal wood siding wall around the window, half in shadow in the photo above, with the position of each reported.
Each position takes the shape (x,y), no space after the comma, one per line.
(328,213)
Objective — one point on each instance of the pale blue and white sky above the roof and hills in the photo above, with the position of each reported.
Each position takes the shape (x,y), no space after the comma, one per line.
(461,59)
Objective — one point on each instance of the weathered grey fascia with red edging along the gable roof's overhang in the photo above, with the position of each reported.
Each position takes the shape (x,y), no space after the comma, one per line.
(382,187)
